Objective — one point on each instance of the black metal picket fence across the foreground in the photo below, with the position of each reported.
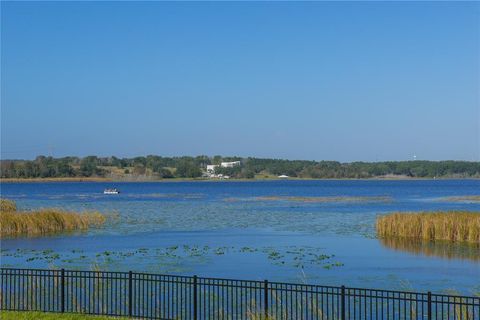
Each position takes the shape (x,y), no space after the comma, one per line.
(153,296)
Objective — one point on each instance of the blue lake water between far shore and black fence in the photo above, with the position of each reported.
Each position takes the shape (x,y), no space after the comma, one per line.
(226,229)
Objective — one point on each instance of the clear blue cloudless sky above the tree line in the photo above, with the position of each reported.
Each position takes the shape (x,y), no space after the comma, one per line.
(318,81)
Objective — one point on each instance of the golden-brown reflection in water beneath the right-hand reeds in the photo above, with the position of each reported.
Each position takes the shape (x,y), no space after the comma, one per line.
(447,250)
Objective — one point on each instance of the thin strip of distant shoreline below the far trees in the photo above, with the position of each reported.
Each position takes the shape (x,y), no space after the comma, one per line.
(100,179)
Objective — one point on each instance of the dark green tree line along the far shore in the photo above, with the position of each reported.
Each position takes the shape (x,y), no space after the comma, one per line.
(194,167)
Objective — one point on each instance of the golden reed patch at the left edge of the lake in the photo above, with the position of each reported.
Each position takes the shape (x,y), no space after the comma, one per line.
(15,223)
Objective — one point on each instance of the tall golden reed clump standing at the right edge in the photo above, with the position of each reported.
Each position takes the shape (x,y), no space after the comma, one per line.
(455,226)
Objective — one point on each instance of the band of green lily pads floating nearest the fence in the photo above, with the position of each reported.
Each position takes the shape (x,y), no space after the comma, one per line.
(173,258)
